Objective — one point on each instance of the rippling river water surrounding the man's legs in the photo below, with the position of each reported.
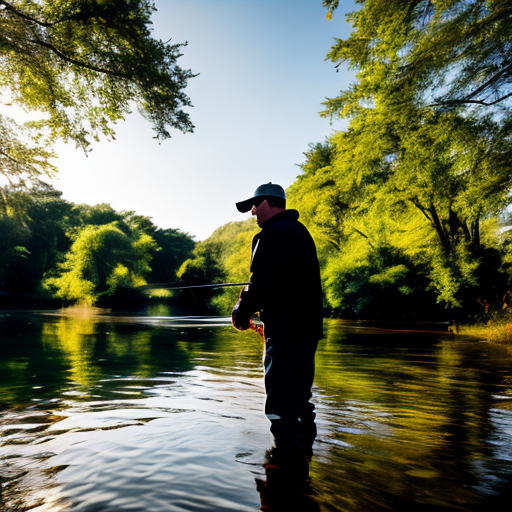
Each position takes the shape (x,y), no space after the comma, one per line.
(158,413)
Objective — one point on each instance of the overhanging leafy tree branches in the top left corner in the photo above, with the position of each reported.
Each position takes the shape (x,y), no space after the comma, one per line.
(82,65)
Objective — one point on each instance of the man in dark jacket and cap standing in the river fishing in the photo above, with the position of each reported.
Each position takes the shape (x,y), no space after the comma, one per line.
(285,288)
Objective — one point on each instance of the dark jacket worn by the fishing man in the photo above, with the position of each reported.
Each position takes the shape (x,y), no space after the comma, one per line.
(285,284)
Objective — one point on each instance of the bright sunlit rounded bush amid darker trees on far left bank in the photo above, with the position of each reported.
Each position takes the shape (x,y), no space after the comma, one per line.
(101,261)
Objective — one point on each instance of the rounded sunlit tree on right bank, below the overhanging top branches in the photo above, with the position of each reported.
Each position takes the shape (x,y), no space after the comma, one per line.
(422,208)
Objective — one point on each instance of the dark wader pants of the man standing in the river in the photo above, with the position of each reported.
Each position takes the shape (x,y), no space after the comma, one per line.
(289,373)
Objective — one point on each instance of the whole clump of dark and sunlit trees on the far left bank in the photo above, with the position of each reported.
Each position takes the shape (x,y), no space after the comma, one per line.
(45,238)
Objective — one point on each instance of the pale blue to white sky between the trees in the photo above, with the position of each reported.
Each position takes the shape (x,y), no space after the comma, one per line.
(262,78)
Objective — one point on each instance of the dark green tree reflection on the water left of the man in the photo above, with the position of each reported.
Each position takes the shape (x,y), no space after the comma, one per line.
(84,349)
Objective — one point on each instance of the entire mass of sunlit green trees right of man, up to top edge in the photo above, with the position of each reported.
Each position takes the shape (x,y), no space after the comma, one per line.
(400,203)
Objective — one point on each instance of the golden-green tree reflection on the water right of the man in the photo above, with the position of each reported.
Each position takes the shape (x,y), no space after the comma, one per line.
(404,424)
